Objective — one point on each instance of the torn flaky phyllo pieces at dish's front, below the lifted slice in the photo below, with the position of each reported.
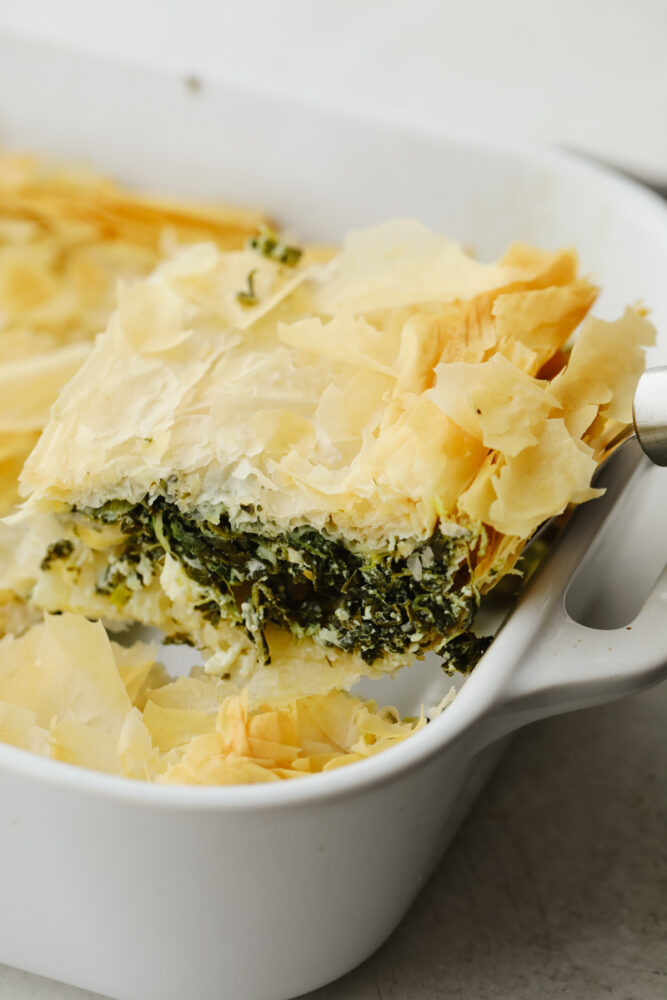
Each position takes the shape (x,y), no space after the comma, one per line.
(68,693)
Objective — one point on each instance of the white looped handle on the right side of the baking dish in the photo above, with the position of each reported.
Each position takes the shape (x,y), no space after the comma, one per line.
(569,665)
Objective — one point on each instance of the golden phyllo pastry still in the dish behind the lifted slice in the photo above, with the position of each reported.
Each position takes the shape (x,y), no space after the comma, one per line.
(67,236)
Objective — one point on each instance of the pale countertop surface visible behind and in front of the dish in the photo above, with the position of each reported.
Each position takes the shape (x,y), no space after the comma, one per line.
(556,886)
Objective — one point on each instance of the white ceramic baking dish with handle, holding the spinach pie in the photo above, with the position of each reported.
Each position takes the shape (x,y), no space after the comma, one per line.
(262,893)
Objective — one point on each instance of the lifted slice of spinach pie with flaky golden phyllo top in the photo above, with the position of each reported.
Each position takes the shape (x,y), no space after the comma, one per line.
(263,452)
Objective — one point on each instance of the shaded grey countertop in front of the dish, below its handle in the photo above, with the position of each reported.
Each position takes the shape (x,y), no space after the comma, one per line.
(556,886)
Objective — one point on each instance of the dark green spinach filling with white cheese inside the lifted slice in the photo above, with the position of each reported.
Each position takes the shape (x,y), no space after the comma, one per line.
(305,580)
